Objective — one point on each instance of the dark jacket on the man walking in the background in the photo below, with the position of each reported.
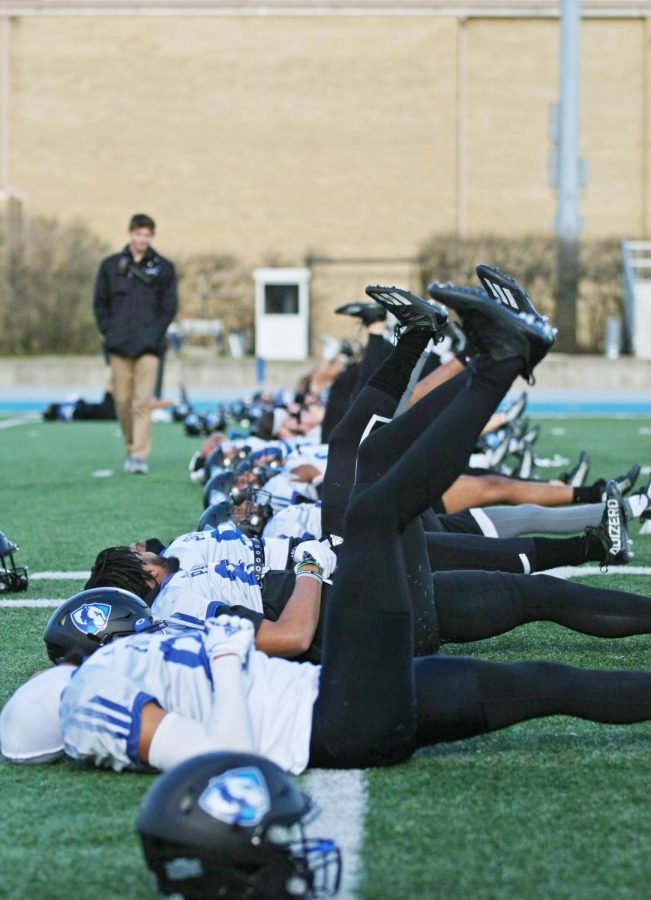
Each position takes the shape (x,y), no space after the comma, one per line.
(135,303)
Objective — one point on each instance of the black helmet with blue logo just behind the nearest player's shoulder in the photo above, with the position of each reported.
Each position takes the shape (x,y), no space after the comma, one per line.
(95,617)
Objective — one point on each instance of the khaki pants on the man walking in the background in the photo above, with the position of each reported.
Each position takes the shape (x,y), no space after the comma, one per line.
(133,387)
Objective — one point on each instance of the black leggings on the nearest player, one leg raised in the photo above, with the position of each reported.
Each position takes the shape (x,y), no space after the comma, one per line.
(376,704)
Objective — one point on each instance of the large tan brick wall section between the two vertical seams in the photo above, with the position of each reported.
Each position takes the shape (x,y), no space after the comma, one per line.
(260,137)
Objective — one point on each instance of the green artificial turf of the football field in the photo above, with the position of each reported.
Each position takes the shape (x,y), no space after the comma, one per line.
(554,808)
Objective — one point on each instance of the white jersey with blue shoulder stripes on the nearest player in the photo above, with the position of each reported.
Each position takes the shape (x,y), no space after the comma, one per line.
(102,705)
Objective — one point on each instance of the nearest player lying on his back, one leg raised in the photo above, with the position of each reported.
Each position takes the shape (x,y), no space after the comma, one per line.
(157,700)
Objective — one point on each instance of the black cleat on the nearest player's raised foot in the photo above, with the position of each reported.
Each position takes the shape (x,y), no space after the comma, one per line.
(494,329)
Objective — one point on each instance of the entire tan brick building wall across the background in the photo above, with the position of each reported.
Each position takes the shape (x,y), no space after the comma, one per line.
(272,138)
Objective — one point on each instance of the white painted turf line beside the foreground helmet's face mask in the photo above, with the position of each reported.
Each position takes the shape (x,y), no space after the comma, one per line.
(341,797)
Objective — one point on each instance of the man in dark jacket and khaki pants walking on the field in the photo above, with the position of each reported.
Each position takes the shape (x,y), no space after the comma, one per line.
(135,302)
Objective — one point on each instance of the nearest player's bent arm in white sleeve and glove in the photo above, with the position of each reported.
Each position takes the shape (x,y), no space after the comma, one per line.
(168,738)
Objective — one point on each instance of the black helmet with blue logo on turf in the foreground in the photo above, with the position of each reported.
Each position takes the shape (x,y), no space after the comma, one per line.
(232,825)
